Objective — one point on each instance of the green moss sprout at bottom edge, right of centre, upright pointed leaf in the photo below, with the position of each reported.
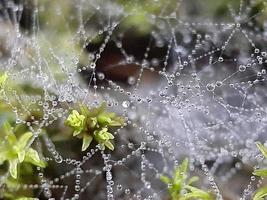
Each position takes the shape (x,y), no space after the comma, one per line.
(180,186)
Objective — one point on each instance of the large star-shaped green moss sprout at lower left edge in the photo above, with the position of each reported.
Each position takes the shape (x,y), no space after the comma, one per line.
(15,151)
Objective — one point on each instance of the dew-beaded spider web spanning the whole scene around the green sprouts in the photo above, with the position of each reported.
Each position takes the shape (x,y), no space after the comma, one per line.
(189,84)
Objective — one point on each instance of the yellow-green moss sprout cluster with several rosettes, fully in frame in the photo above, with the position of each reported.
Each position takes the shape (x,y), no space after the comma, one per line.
(94,123)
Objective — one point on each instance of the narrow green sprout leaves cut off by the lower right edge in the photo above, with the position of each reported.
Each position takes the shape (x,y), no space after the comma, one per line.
(262,192)
